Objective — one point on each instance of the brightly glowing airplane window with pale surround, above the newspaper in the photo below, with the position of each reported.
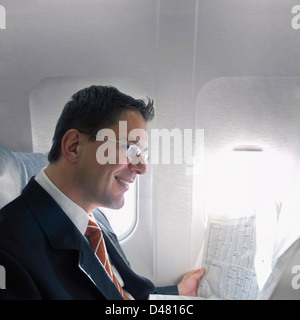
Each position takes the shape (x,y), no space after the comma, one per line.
(253,157)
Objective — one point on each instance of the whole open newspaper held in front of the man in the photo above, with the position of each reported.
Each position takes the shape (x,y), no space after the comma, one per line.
(246,257)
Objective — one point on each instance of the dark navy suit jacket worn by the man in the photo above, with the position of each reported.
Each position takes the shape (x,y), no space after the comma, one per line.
(46,257)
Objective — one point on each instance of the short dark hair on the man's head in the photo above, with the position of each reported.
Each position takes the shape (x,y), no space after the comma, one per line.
(94,108)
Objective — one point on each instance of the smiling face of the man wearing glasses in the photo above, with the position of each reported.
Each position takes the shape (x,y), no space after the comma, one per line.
(104,185)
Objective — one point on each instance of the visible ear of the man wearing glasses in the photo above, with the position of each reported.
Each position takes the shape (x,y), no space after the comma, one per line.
(69,145)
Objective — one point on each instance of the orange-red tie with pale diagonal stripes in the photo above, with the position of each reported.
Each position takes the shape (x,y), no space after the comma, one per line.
(96,237)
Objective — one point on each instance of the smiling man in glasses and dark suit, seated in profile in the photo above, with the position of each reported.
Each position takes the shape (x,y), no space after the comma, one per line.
(45,246)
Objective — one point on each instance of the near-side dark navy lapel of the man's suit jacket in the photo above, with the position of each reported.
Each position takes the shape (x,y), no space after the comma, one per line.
(63,235)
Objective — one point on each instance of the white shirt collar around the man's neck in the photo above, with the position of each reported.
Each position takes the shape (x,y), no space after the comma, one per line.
(75,213)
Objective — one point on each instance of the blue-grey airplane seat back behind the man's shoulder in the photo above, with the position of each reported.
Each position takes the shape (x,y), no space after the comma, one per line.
(16,169)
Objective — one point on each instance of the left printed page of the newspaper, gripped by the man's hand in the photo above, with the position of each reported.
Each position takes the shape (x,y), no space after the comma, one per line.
(228,258)
